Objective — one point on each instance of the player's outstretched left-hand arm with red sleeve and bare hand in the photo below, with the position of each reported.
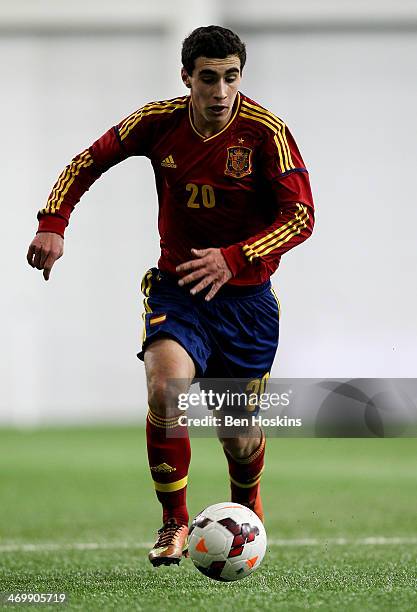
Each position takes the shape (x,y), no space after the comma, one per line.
(130,137)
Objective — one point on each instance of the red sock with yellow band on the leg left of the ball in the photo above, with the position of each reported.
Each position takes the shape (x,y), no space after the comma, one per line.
(169,454)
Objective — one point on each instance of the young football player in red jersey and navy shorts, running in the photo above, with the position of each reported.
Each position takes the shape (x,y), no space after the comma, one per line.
(234,196)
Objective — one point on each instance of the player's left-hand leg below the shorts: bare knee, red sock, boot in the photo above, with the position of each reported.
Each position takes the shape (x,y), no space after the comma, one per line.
(169,372)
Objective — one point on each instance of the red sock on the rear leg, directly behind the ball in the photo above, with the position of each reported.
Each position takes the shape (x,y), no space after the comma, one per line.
(245,475)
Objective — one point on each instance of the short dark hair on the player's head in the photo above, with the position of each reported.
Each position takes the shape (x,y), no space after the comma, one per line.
(211,41)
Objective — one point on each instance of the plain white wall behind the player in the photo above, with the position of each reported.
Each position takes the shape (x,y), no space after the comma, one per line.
(344,81)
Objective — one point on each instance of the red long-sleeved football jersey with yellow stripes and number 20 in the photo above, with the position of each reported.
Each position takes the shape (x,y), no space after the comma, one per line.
(245,189)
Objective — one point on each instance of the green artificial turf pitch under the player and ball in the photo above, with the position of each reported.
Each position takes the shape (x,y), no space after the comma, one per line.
(60,488)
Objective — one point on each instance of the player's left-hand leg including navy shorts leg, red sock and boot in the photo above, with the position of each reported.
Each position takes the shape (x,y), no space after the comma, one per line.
(174,346)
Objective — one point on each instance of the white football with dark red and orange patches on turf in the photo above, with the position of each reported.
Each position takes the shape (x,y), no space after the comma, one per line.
(227,541)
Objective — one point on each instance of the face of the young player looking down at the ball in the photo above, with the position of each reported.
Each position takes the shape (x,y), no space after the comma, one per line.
(214,84)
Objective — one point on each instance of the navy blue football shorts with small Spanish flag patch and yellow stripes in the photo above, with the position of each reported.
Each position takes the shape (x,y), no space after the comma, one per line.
(234,335)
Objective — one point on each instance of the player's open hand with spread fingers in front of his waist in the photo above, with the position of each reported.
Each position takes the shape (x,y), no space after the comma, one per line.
(209,267)
